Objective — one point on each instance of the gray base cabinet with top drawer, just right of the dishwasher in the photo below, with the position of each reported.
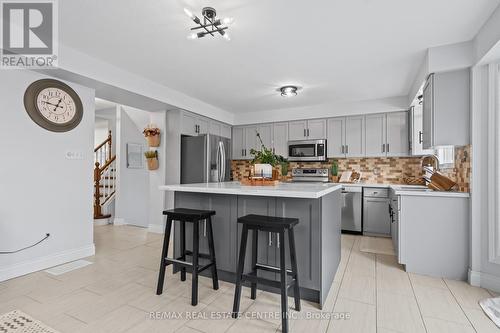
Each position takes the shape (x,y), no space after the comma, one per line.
(376,218)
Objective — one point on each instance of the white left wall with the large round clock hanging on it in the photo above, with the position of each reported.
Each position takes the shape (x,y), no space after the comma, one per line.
(40,190)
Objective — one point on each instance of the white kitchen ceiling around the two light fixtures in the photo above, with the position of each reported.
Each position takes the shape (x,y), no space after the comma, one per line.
(337,50)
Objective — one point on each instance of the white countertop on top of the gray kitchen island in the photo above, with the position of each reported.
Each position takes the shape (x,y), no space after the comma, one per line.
(289,190)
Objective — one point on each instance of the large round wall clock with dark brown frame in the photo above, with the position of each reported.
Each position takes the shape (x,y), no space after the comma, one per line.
(53,105)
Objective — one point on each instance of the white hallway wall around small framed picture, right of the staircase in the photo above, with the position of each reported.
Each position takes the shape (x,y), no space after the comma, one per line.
(132,198)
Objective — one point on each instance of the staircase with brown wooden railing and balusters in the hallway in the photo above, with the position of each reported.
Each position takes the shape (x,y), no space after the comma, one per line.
(104,177)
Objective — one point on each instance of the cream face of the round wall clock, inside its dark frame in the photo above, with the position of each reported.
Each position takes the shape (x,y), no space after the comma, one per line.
(56,105)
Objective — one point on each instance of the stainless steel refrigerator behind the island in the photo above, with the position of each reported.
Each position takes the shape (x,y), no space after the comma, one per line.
(205,159)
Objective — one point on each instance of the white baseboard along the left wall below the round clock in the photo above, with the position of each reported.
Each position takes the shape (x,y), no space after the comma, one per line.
(30,266)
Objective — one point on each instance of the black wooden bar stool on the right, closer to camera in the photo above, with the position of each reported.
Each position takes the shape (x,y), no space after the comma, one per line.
(278,225)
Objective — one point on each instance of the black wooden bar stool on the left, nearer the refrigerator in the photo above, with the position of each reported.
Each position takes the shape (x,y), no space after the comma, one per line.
(194,216)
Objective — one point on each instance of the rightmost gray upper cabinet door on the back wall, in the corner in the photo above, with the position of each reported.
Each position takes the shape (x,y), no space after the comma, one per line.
(398,142)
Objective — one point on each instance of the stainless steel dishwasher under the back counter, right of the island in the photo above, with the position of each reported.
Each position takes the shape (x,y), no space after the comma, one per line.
(351,209)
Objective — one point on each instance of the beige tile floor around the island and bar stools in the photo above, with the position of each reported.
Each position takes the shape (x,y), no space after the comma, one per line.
(117,294)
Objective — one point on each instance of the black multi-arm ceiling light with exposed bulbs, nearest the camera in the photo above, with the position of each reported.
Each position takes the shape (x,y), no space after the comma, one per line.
(210,25)
